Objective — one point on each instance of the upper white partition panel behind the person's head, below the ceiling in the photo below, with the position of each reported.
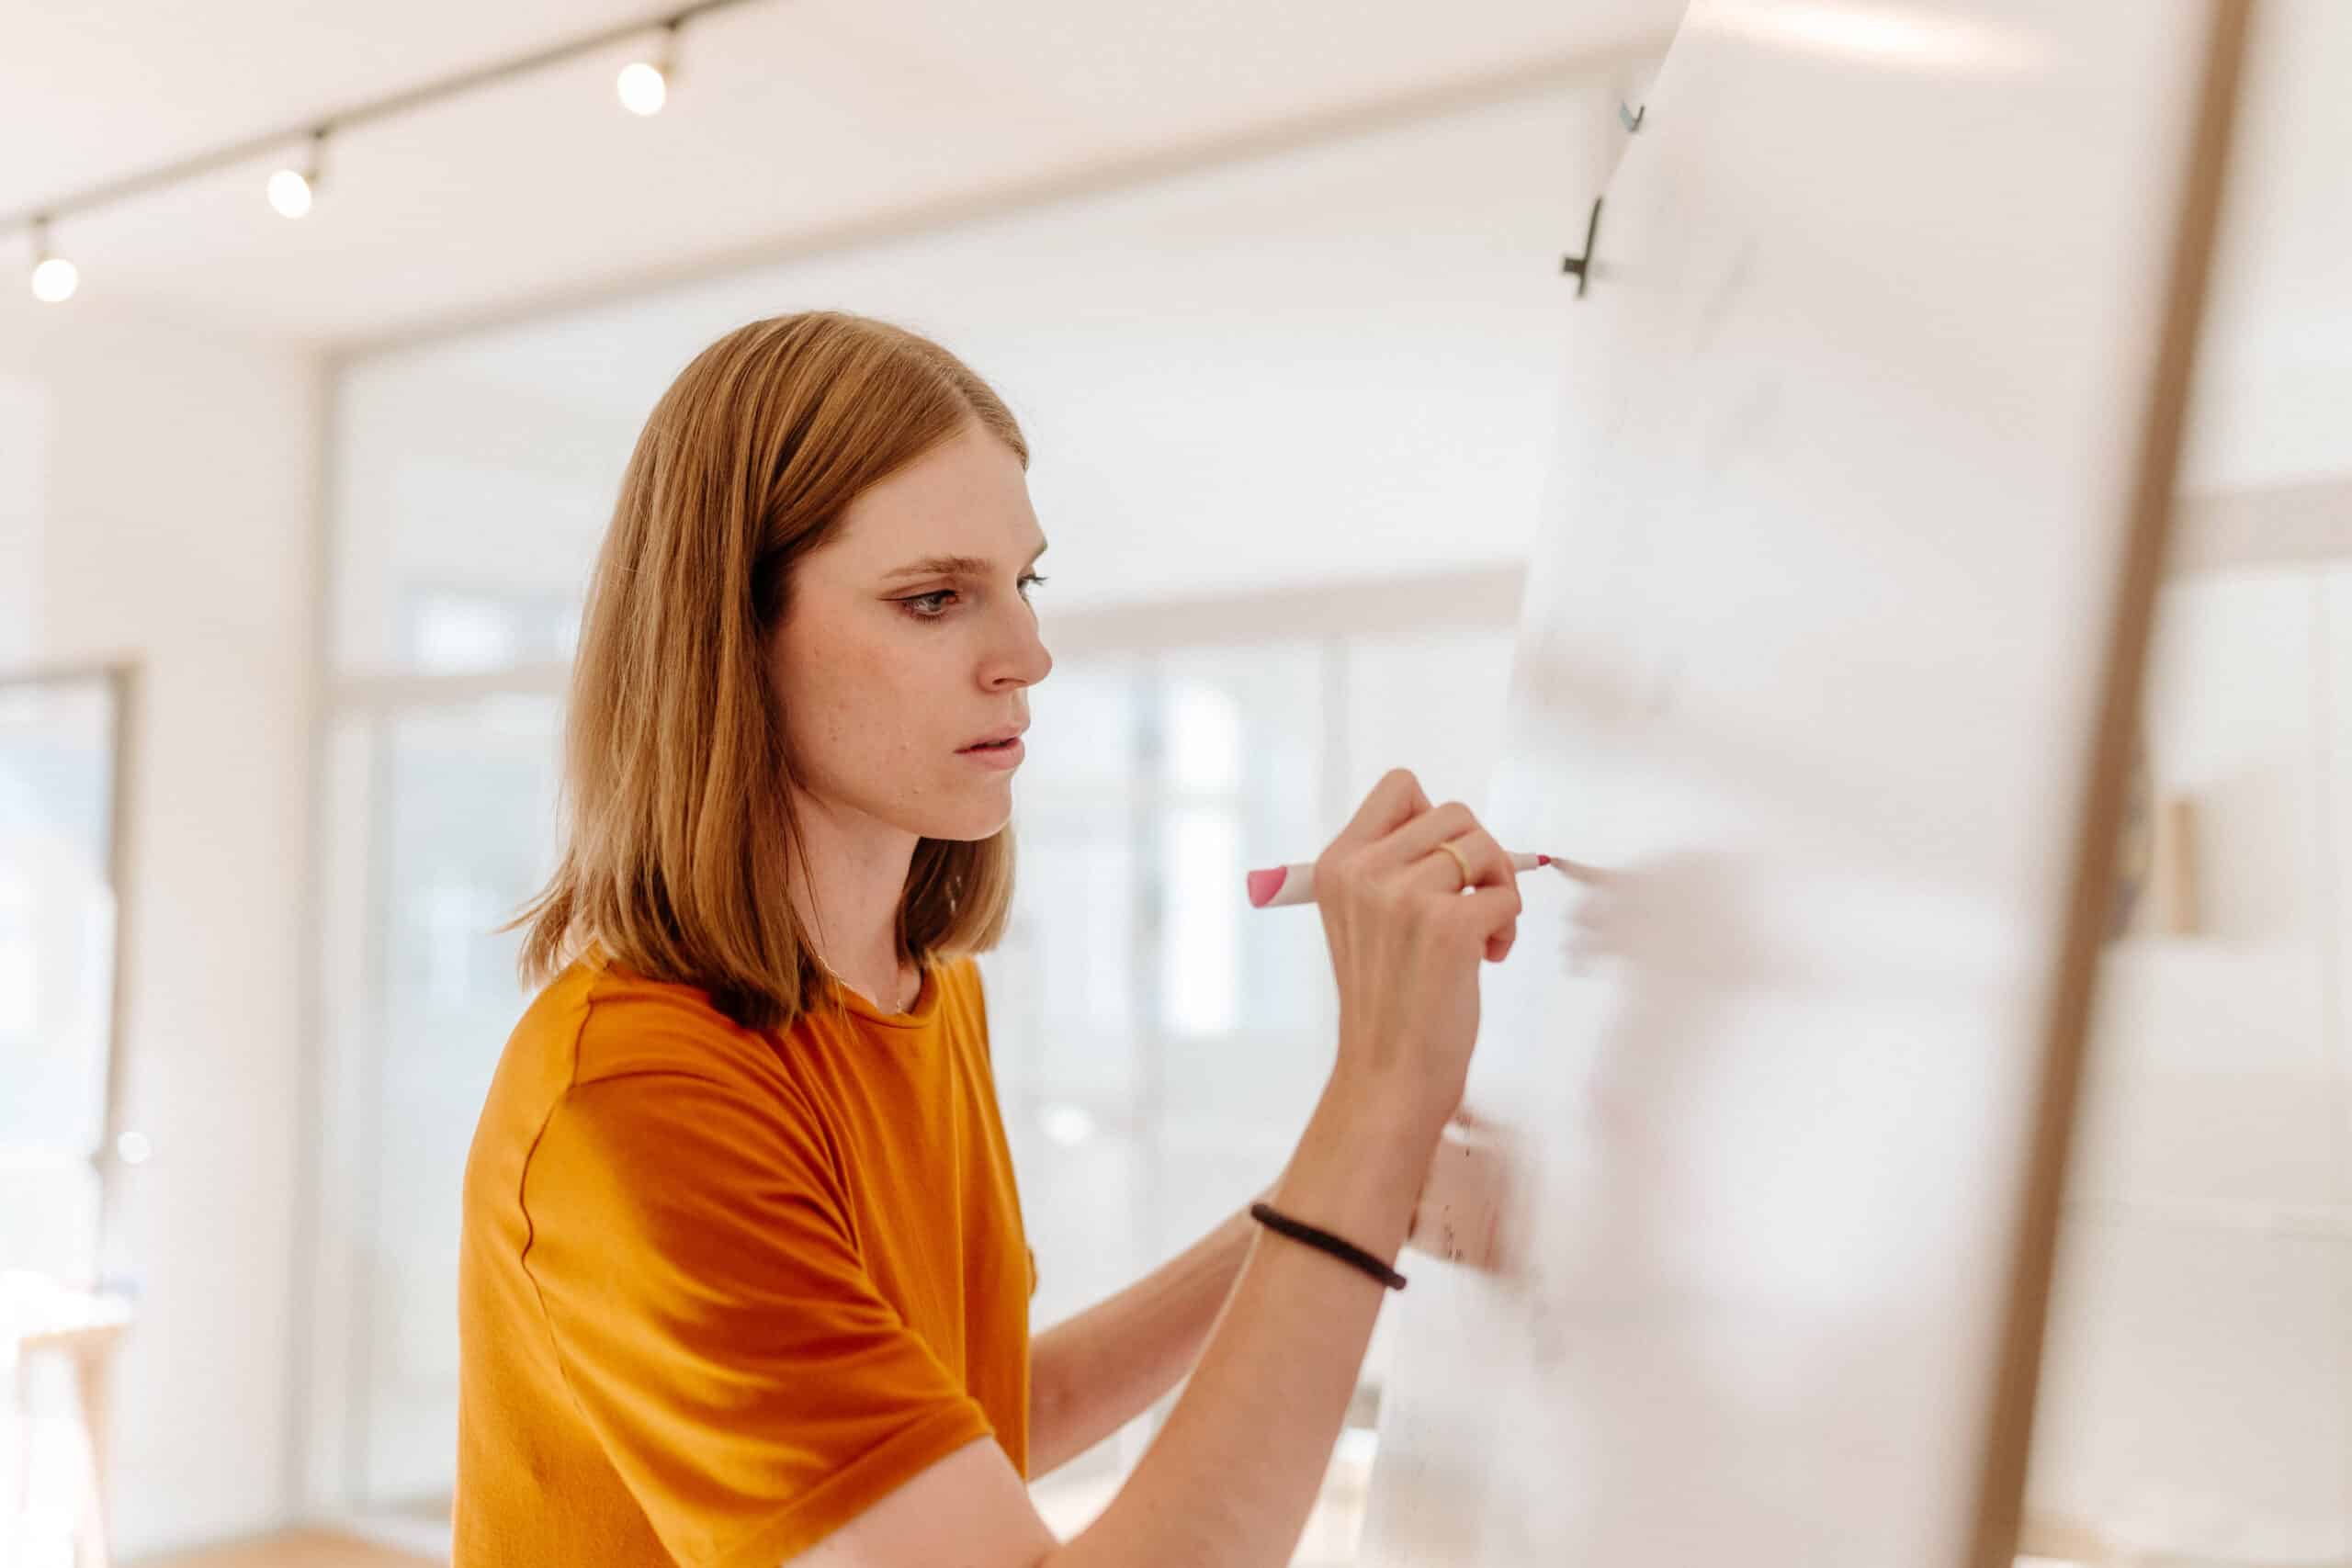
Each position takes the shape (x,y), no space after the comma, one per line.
(1325,363)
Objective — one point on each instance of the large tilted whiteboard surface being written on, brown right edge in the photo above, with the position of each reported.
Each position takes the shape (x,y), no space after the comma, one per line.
(1855,453)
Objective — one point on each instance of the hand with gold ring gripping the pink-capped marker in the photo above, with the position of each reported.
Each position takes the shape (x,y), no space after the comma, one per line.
(1408,937)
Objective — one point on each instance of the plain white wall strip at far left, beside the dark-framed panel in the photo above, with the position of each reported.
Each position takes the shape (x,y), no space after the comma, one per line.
(168,518)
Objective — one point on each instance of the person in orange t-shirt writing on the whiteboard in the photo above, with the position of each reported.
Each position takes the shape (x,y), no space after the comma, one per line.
(744,1278)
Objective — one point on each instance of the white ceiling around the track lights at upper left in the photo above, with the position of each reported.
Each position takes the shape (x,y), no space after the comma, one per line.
(796,123)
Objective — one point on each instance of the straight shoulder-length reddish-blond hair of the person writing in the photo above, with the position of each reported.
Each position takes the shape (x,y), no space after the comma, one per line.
(681,836)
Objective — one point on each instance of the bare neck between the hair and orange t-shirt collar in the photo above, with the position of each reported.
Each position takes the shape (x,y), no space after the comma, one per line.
(850,899)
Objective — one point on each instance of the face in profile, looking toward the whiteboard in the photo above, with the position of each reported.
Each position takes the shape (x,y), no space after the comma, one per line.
(909,638)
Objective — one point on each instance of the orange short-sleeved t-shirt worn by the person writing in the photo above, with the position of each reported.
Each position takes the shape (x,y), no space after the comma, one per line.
(721,1292)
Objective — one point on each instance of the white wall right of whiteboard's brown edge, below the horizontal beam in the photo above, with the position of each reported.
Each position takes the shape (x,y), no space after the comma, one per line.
(2198,1372)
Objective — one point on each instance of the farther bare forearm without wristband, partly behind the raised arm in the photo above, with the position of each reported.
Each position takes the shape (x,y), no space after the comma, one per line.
(1102,1369)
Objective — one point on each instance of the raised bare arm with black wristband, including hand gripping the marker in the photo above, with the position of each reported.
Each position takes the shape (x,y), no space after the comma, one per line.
(1234,1475)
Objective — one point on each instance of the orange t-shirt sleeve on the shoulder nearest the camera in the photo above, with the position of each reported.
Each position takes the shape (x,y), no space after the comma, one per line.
(716,1325)
